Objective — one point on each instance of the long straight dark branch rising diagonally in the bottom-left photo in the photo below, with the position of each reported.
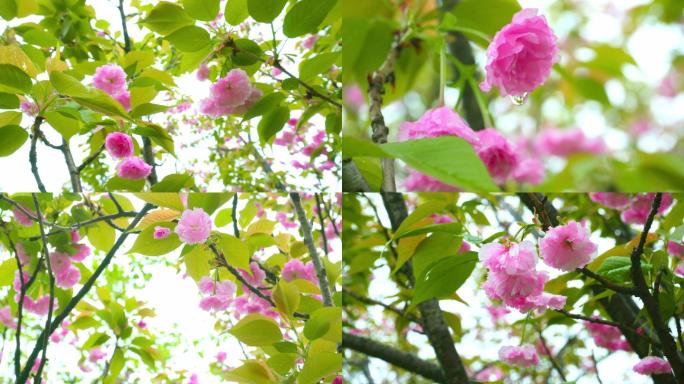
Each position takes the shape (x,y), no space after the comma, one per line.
(80,295)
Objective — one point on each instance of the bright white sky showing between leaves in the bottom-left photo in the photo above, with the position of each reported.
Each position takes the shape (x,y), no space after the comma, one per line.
(175,299)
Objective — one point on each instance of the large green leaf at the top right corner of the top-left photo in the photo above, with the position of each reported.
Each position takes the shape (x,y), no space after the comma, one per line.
(305,16)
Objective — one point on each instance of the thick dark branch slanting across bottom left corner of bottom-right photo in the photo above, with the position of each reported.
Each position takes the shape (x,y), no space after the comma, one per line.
(396,357)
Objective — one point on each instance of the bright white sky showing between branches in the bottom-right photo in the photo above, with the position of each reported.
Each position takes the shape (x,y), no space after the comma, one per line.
(615,369)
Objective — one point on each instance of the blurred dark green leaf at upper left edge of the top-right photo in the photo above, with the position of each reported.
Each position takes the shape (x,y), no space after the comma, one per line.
(366,45)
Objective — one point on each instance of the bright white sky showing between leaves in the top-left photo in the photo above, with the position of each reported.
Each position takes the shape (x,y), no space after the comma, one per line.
(51,164)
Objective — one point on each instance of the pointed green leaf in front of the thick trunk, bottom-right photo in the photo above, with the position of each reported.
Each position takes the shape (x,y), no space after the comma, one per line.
(444,277)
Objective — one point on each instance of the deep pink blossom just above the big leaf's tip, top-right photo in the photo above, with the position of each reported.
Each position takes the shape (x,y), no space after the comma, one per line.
(497,154)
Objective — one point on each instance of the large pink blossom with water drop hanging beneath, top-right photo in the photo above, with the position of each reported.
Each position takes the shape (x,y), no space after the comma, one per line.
(521,55)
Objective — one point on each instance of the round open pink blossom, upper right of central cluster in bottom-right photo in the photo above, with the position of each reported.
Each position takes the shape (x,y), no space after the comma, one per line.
(567,247)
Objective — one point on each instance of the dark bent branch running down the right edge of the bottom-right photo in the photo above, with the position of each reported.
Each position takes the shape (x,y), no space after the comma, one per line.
(652,307)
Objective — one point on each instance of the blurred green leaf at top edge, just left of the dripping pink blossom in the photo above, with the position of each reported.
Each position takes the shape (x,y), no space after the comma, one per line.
(487,20)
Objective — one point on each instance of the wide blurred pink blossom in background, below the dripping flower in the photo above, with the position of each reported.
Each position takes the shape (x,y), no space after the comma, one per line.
(567,142)
